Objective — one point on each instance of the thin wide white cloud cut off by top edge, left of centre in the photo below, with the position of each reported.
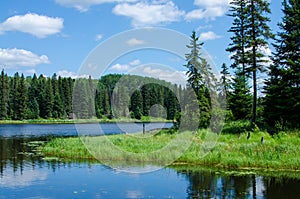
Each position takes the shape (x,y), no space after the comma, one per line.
(84,5)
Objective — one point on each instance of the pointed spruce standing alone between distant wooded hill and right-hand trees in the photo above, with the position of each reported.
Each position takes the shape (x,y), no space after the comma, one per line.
(199,78)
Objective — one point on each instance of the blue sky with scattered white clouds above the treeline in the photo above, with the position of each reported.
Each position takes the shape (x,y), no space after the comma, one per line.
(56,36)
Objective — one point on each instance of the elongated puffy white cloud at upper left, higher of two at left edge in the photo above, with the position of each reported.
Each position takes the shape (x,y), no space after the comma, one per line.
(37,25)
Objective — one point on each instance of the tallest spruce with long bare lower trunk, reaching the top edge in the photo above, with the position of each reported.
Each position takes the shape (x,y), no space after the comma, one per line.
(251,32)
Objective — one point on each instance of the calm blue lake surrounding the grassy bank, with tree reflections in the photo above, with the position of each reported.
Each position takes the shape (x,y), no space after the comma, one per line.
(23,174)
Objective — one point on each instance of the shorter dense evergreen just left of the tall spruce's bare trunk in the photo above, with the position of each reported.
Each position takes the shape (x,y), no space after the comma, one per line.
(239,99)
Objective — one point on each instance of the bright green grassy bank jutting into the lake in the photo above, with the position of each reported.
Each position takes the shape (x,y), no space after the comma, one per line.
(280,152)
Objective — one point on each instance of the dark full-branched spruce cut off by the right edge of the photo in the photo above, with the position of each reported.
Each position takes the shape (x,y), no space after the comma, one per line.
(283,86)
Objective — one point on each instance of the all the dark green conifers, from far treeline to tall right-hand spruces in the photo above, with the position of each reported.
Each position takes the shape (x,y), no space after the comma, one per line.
(275,108)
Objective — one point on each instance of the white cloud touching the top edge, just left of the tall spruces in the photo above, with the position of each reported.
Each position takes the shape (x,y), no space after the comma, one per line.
(208,9)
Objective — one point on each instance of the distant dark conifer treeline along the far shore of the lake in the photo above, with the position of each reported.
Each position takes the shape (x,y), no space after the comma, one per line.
(60,97)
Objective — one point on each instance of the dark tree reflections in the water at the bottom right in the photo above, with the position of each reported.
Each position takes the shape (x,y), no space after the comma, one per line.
(205,184)
